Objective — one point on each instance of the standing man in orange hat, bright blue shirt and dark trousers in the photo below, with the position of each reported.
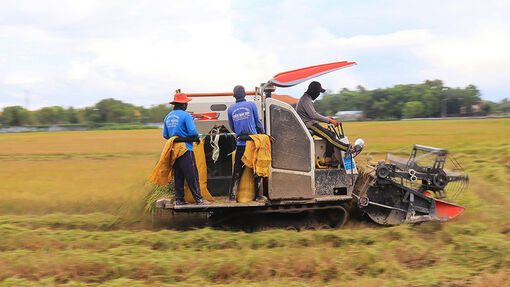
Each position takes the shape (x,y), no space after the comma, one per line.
(180,123)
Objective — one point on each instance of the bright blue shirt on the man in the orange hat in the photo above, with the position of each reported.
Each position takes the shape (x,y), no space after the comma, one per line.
(179,123)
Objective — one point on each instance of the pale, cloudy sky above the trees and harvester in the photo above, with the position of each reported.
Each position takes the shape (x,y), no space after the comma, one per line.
(75,53)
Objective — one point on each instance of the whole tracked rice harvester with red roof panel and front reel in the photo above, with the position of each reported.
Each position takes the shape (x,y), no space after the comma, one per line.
(303,193)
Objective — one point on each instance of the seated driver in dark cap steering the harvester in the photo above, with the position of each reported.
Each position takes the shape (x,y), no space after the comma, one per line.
(311,119)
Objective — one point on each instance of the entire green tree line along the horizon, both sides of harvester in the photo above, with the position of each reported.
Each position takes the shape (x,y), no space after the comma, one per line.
(428,99)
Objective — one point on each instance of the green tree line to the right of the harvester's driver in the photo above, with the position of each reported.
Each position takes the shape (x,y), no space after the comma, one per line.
(428,99)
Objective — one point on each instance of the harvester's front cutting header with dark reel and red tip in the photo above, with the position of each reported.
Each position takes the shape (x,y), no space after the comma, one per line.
(400,191)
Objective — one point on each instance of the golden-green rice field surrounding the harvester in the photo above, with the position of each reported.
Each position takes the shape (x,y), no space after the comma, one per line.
(71,214)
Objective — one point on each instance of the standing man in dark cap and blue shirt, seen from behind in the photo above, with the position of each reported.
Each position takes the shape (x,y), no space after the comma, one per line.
(244,120)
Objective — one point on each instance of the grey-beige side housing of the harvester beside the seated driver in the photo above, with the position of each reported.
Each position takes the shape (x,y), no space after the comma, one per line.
(294,174)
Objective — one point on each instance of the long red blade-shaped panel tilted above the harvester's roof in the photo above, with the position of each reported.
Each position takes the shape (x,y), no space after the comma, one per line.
(294,77)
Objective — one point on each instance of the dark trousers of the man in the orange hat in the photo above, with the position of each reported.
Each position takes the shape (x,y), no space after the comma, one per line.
(185,168)
